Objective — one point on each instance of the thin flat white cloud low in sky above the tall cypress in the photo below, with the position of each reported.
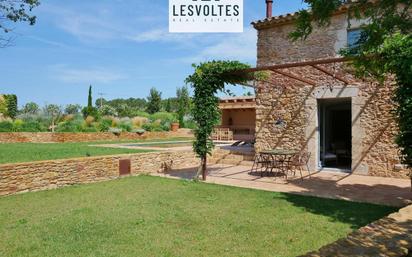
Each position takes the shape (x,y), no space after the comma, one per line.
(86,75)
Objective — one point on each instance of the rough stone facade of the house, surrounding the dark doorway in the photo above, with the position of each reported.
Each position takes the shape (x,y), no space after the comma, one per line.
(374,151)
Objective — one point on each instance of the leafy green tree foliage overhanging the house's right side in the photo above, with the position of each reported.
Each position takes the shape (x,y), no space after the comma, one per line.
(385,47)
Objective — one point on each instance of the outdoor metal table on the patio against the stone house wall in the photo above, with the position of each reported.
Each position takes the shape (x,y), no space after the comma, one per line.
(278,159)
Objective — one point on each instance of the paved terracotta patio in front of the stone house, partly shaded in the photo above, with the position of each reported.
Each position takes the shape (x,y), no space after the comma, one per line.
(338,185)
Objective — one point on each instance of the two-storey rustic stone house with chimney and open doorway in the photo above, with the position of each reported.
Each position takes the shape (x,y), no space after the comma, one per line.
(345,124)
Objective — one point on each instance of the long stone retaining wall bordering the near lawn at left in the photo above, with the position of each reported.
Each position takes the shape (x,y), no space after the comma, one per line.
(35,176)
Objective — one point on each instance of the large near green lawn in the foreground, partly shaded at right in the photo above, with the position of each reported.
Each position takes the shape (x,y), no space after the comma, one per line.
(152,216)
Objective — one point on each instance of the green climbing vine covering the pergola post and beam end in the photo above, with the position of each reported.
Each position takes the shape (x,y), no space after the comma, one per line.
(208,79)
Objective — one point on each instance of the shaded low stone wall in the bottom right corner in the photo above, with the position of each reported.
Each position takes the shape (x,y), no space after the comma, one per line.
(390,236)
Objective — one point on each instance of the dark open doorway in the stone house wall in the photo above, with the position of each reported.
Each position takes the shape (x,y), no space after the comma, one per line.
(335,130)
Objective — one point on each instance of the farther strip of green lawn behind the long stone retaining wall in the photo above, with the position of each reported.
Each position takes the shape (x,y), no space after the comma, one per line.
(25,152)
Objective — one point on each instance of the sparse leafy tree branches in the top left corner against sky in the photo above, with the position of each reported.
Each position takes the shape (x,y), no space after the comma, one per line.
(15,11)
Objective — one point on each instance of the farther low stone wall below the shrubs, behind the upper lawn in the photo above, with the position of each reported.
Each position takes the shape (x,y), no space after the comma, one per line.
(48,137)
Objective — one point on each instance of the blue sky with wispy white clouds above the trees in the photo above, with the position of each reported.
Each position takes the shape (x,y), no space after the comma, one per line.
(120,47)
